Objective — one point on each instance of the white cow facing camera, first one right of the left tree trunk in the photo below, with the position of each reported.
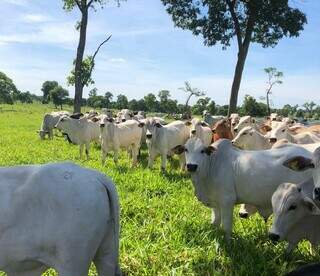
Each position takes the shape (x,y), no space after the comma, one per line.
(126,135)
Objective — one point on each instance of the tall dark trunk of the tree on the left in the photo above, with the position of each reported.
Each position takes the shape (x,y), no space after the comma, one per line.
(80,53)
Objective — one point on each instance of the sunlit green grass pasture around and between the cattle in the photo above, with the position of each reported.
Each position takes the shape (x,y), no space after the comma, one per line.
(164,229)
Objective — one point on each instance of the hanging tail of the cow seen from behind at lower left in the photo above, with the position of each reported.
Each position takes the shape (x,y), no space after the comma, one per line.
(114,215)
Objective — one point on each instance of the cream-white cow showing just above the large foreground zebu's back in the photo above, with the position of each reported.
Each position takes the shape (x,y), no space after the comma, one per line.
(251,139)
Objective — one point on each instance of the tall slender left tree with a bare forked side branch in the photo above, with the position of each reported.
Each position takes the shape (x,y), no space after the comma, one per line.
(81,76)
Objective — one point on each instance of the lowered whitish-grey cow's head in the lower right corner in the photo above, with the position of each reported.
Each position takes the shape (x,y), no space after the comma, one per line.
(289,206)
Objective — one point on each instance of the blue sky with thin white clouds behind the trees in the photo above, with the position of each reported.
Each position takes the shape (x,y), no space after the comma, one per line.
(146,53)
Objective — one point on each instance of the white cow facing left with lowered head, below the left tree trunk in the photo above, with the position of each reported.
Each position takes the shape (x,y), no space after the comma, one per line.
(79,132)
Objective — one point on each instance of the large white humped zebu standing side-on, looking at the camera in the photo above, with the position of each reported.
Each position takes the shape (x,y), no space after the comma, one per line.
(224,176)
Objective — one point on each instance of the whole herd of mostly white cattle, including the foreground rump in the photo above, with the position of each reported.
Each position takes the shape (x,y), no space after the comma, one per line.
(227,158)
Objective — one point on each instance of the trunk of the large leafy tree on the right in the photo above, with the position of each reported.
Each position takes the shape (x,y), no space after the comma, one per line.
(242,55)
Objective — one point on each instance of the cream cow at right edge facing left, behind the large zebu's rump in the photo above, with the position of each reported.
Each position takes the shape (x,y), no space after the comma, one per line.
(282,132)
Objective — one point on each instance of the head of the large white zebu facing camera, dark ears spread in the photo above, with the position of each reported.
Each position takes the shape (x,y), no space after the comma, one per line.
(195,152)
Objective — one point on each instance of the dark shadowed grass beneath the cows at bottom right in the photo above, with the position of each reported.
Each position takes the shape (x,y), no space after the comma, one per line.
(243,255)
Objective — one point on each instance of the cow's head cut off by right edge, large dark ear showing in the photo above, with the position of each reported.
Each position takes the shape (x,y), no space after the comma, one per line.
(302,163)
